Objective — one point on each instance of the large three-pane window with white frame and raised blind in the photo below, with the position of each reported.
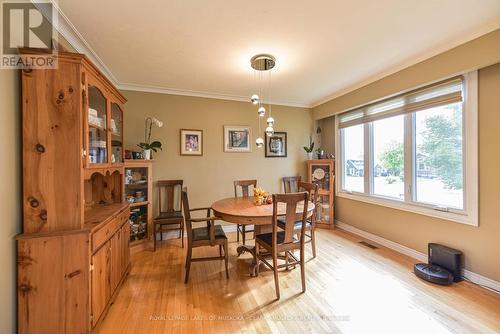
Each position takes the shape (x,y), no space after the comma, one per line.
(416,151)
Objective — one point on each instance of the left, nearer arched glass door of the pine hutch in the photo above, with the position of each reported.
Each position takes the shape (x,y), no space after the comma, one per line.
(97,124)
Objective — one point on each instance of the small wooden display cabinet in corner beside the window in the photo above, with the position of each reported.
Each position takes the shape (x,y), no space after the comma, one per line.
(322,172)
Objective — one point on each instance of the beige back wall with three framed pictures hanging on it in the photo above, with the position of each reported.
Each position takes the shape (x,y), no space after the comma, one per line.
(210,177)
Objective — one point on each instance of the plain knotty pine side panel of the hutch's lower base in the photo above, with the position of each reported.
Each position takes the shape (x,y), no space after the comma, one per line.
(53,294)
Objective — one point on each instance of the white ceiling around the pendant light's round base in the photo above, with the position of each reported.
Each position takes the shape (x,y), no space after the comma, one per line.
(323,48)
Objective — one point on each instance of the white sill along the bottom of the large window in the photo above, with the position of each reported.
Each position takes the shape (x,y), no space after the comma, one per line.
(467,219)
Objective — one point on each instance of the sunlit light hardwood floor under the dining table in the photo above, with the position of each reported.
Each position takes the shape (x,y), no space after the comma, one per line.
(350,289)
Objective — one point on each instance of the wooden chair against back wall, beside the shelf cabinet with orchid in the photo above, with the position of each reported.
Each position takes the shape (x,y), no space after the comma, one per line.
(170,211)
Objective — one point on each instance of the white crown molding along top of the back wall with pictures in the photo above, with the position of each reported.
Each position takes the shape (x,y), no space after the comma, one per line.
(194,93)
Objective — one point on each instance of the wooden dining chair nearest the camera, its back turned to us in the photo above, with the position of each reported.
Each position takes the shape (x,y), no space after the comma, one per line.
(278,242)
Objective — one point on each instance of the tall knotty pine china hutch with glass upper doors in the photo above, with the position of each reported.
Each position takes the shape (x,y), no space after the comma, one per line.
(74,252)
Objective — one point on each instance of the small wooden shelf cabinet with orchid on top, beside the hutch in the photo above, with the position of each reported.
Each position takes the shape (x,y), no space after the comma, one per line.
(139,193)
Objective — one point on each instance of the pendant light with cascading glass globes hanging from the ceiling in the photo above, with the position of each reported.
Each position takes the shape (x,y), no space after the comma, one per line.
(263,63)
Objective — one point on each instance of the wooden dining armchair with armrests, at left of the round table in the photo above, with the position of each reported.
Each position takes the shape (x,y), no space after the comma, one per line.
(209,235)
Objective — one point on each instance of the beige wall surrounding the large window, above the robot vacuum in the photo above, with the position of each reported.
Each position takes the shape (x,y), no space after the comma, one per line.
(481,245)
